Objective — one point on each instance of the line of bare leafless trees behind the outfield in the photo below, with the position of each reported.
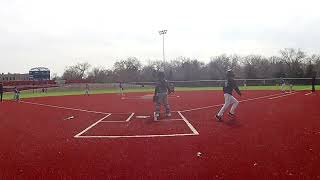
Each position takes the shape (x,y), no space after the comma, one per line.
(289,63)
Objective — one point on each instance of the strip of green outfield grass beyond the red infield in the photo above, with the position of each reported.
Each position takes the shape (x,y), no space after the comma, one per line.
(28,94)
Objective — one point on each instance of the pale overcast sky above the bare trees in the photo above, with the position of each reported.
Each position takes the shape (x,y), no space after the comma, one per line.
(59,33)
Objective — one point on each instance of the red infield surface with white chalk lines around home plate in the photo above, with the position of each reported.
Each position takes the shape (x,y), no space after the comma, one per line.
(274,136)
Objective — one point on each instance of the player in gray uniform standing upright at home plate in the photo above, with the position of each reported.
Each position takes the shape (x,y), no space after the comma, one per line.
(161,92)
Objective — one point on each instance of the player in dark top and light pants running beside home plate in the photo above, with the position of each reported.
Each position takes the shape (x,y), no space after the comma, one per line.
(228,87)
